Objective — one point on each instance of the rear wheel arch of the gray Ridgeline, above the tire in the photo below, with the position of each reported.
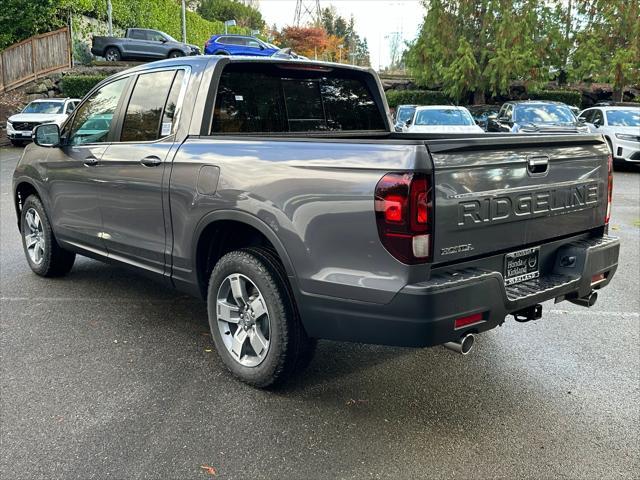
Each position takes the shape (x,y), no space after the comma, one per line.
(212,240)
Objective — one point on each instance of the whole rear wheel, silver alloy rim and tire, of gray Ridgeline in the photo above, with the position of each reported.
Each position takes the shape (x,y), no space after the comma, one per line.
(254,323)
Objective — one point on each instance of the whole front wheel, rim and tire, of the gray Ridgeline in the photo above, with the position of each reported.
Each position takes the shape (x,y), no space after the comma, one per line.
(45,257)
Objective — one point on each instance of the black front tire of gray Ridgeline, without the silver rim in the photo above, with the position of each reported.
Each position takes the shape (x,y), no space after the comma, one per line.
(54,261)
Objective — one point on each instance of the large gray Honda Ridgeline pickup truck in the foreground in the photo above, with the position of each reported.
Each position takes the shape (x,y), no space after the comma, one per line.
(278,191)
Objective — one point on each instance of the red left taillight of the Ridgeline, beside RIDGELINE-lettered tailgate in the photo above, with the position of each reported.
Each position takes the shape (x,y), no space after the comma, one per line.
(404,213)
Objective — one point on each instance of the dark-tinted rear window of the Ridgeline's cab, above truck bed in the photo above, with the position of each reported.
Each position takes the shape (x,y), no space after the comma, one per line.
(268,99)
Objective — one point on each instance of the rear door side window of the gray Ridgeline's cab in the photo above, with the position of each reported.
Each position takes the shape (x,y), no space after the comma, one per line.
(152,91)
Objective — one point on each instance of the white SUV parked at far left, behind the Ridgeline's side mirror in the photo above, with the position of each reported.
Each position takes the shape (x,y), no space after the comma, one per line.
(45,110)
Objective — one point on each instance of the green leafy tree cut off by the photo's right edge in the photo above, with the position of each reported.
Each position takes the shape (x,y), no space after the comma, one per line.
(608,45)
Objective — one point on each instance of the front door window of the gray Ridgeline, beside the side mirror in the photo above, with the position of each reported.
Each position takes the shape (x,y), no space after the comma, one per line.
(93,119)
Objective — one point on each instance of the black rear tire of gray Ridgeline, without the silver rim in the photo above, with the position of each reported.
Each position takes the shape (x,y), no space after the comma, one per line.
(290,349)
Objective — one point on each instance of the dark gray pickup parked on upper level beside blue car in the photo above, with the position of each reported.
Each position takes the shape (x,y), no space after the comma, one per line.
(141,44)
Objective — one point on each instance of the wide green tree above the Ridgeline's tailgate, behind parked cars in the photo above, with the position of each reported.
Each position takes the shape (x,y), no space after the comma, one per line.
(479,47)
